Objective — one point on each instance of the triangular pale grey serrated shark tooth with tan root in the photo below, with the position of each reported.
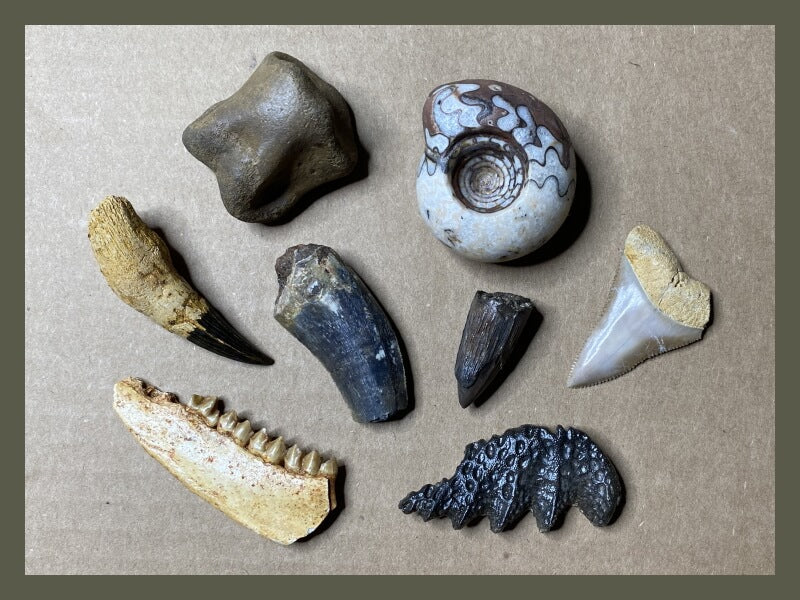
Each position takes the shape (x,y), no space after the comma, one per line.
(654,307)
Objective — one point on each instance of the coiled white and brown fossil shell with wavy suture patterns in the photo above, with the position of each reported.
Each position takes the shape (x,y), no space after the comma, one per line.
(497,177)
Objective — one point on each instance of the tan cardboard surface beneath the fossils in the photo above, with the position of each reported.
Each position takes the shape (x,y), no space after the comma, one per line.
(675,127)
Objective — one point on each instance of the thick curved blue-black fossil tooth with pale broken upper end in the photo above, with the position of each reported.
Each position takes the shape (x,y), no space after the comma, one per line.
(324,304)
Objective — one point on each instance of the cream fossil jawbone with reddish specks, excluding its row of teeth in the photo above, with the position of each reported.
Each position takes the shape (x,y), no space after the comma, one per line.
(260,494)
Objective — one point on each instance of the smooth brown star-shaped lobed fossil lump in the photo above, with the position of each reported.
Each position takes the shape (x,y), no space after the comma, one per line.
(282,134)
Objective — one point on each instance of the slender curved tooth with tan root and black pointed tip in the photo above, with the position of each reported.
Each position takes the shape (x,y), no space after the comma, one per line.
(137,266)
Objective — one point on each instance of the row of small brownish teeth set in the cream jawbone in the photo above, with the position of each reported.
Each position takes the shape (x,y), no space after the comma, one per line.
(273,451)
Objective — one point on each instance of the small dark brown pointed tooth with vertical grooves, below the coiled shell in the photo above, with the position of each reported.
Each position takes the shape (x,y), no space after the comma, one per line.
(494,326)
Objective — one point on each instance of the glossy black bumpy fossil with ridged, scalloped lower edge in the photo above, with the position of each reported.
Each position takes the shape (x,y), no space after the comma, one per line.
(526,468)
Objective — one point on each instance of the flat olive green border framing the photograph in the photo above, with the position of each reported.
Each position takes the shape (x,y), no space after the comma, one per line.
(408,11)
